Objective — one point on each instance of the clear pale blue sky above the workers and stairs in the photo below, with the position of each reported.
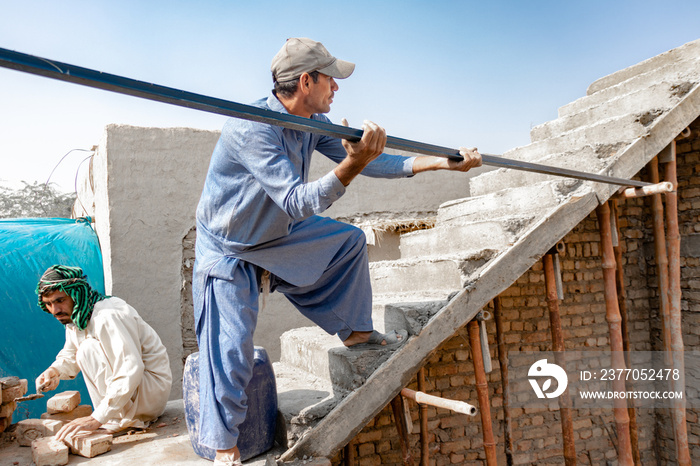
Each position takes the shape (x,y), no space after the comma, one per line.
(444,72)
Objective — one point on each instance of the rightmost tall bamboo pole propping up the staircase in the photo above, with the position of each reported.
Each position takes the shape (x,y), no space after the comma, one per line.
(674,300)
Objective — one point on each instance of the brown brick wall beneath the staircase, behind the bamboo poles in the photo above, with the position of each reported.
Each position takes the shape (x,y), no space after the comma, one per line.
(456,439)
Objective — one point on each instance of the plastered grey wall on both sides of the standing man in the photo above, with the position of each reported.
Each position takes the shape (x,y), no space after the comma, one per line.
(147,182)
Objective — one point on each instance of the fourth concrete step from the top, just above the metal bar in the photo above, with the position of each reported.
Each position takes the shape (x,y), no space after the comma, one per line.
(623,129)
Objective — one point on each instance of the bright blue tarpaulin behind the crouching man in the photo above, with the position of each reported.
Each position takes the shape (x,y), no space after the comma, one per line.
(29,337)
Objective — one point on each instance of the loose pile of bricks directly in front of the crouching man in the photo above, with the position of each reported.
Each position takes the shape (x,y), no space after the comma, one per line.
(39,433)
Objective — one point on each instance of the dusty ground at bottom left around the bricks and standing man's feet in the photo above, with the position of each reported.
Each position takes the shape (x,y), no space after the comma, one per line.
(165,443)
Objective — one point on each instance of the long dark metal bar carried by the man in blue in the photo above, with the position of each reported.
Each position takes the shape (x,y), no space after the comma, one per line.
(109,82)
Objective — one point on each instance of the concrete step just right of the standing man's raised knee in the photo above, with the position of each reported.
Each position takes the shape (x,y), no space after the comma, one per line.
(465,238)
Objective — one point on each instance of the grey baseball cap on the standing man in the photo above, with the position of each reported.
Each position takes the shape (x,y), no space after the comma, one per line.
(302,55)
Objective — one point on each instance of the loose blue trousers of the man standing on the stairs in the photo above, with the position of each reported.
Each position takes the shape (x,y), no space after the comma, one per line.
(340,302)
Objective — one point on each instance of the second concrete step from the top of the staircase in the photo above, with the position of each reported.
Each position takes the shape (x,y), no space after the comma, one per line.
(673,73)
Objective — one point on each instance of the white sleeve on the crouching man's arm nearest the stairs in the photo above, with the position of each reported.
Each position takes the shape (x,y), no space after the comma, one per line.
(119,337)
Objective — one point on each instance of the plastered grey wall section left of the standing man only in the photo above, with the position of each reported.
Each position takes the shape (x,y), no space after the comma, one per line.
(147,184)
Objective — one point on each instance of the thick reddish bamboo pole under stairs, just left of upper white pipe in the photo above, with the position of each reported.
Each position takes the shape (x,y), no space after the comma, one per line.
(612,315)
